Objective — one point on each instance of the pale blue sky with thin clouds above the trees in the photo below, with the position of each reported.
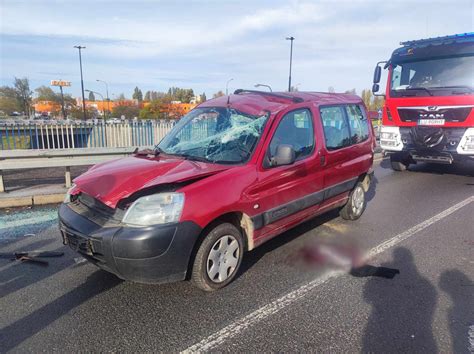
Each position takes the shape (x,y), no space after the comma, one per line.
(202,44)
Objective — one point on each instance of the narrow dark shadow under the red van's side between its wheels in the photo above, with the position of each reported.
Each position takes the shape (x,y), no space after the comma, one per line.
(251,258)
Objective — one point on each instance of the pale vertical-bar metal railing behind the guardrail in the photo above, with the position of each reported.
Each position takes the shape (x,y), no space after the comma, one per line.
(73,134)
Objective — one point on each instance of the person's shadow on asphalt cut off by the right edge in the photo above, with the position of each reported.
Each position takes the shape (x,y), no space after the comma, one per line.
(461,313)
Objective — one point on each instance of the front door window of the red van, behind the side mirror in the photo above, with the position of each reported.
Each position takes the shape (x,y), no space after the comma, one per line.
(295,129)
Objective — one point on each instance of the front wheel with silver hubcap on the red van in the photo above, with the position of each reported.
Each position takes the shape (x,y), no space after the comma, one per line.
(218,258)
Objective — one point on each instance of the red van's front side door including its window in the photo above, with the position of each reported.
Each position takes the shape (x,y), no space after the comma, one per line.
(284,193)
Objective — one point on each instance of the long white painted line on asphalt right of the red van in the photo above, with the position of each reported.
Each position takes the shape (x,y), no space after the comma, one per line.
(275,306)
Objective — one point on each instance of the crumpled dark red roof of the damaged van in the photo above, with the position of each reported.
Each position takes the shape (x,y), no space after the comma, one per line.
(255,102)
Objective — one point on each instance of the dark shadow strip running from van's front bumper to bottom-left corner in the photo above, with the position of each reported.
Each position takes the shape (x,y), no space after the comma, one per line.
(19,331)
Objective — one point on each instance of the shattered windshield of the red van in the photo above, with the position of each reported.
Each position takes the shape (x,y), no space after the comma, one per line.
(218,135)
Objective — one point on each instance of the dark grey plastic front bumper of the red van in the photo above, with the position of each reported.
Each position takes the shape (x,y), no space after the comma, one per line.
(154,254)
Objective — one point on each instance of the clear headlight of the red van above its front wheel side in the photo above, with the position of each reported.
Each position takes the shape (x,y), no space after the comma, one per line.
(155,209)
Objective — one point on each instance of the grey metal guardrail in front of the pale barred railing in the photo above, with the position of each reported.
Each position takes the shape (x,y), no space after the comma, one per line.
(26,159)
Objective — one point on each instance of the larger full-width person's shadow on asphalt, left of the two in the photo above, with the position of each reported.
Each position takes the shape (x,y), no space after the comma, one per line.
(402,310)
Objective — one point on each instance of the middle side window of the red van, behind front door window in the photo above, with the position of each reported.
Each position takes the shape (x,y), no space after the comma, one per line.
(336,130)
